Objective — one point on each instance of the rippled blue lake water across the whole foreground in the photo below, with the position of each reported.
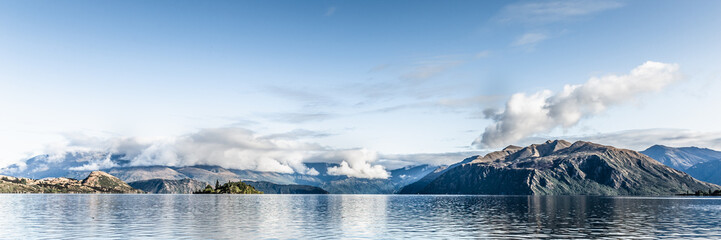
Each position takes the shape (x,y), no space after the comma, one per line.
(36,216)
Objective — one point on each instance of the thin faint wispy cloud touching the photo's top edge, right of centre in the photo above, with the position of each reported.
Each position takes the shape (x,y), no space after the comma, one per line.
(553,11)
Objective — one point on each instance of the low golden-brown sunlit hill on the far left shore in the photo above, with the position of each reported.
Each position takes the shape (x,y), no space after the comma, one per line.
(96,182)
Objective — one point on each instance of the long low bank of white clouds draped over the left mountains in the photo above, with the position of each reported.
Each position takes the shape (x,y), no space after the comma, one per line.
(235,148)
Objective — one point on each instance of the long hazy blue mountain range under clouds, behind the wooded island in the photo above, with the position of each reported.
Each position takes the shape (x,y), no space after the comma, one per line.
(77,165)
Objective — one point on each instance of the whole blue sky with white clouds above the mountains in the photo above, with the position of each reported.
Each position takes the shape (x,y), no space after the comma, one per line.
(267,85)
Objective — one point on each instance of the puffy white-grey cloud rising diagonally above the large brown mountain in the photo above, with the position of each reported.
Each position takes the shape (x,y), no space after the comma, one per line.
(543,111)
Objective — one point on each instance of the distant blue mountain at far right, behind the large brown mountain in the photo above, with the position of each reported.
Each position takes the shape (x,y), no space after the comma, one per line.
(681,158)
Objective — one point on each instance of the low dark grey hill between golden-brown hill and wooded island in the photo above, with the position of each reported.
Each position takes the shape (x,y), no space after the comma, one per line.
(183,186)
